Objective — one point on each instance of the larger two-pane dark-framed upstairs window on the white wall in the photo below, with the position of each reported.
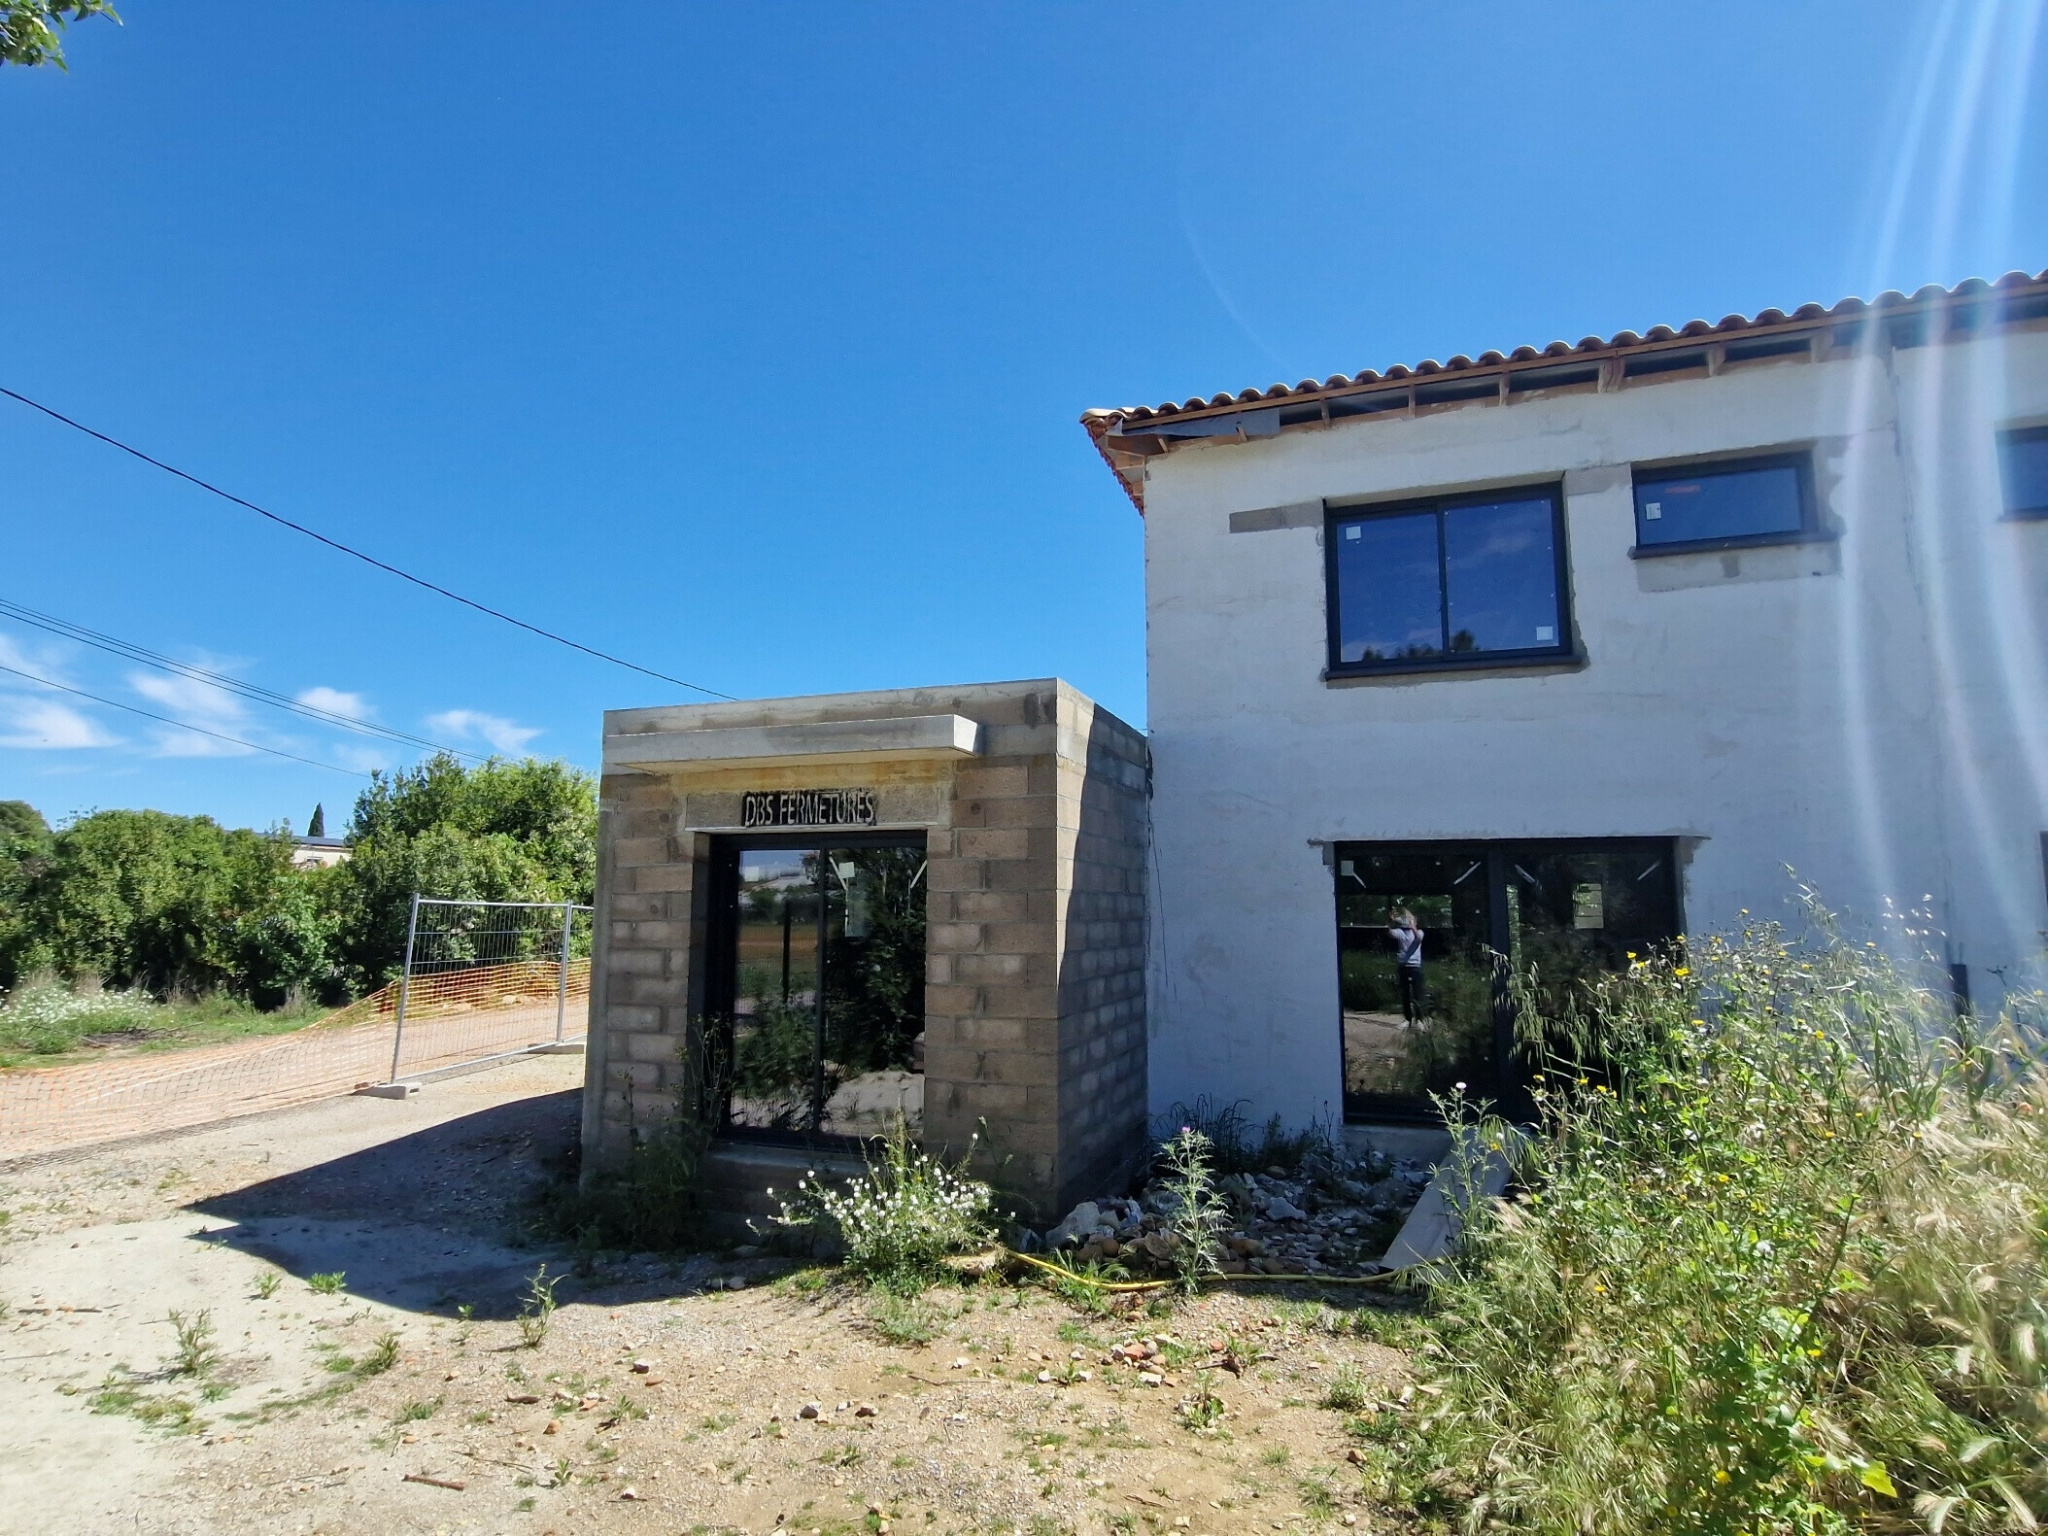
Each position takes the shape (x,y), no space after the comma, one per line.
(1451,583)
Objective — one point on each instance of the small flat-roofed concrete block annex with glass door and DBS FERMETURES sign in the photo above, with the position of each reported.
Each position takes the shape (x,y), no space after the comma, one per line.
(925,902)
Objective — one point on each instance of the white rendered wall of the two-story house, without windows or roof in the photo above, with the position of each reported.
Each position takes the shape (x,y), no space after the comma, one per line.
(1867,712)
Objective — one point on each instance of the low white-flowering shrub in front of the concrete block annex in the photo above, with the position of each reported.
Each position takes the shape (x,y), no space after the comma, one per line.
(902,1218)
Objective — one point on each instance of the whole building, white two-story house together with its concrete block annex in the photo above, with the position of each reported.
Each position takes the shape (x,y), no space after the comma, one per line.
(1553,656)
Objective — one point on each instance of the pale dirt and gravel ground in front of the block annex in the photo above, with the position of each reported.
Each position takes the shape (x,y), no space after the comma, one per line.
(658,1402)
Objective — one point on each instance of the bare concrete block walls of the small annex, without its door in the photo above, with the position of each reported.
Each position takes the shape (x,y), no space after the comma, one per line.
(1035,945)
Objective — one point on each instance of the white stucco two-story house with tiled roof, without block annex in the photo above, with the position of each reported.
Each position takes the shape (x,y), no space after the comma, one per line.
(1572,650)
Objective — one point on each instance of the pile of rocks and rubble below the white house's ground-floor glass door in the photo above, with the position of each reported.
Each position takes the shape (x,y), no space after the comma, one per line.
(1330,1215)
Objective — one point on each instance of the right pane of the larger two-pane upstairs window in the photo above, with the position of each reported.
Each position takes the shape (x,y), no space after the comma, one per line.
(1500,560)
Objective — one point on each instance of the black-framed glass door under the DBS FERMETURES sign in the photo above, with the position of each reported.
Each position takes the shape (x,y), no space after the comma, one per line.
(818,984)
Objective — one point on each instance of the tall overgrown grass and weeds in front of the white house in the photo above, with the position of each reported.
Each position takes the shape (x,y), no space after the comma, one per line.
(1777,1267)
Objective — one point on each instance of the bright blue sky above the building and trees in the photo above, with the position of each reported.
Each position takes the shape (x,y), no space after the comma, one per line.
(749,341)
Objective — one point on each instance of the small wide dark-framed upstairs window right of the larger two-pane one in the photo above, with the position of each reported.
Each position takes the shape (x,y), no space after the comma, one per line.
(1725,505)
